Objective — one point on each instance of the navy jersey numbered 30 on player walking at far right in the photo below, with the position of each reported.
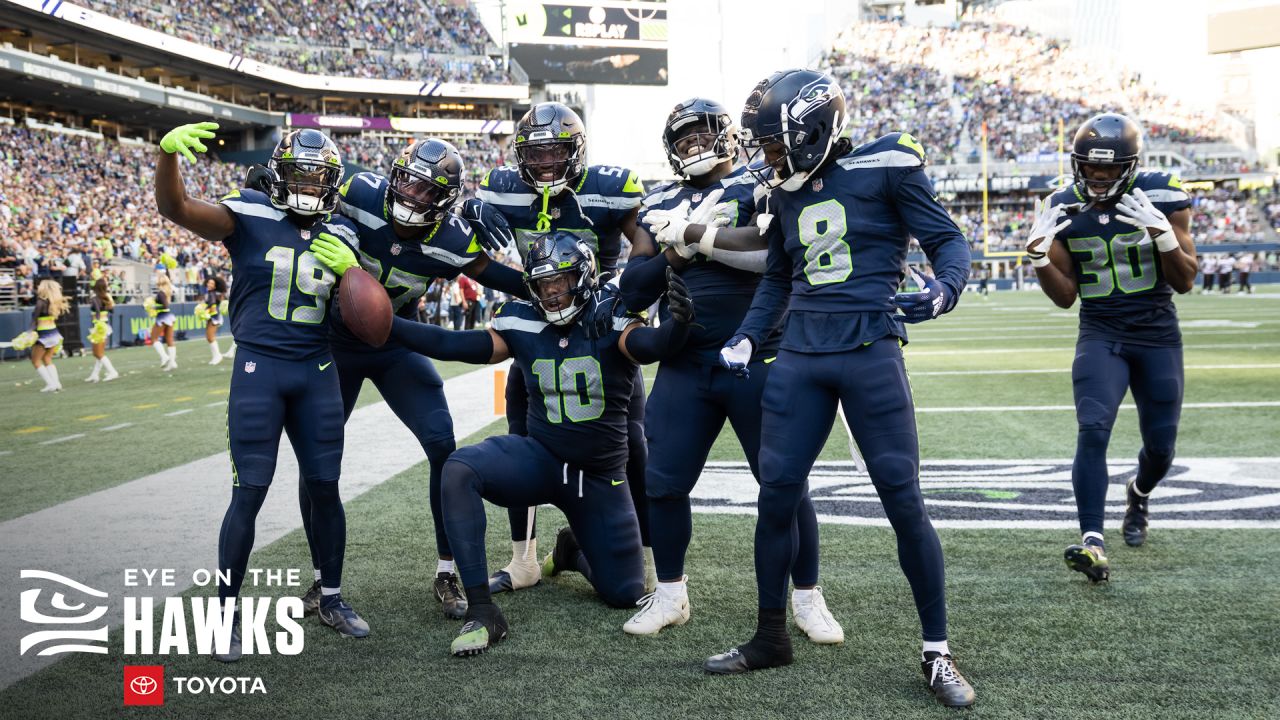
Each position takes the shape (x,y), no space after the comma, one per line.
(1123,289)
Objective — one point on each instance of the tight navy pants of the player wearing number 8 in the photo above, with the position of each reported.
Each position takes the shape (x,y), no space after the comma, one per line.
(801,400)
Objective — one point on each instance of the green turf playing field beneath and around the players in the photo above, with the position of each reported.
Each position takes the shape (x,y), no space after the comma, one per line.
(1187,628)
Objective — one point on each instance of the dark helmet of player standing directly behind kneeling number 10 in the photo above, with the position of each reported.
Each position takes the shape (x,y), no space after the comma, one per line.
(551,148)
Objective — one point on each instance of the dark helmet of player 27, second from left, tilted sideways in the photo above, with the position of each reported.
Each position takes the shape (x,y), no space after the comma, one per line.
(426,183)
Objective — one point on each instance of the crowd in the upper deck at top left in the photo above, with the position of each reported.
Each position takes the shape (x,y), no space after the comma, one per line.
(376,39)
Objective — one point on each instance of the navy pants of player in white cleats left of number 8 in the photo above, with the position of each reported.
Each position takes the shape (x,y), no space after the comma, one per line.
(685,413)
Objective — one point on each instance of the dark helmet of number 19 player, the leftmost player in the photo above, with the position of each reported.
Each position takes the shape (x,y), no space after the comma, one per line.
(308,174)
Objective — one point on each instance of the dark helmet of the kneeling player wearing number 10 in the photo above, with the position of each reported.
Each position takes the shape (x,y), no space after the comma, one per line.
(560,272)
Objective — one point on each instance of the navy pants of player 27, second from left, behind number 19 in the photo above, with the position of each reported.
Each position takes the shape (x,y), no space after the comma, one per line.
(414,390)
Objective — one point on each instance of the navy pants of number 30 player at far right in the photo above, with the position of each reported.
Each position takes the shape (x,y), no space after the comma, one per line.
(1100,376)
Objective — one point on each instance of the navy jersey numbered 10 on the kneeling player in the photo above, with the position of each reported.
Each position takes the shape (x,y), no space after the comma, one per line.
(579,382)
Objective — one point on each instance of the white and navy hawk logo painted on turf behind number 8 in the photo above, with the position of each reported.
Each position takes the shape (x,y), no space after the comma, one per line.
(1210,493)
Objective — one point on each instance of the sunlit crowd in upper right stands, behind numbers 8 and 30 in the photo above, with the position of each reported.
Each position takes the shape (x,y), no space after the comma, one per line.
(948,81)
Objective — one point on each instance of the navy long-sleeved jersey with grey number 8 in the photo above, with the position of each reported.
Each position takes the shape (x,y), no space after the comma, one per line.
(840,244)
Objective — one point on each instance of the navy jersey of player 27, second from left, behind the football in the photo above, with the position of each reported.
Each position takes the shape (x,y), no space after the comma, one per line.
(406,268)
